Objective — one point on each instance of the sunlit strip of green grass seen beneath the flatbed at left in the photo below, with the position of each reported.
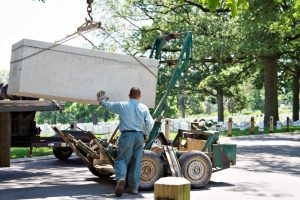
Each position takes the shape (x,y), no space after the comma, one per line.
(23,152)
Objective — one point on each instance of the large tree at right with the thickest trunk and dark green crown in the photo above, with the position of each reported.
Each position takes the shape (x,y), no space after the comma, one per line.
(271,31)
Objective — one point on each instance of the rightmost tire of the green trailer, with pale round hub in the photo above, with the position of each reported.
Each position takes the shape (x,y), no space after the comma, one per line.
(201,159)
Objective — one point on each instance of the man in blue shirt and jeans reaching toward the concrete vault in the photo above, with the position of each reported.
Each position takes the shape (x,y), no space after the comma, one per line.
(135,126)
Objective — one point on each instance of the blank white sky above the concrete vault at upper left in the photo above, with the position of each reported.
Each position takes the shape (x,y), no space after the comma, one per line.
(31,19)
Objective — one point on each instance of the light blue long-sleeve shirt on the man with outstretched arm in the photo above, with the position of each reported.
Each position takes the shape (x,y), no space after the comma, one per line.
(133,115)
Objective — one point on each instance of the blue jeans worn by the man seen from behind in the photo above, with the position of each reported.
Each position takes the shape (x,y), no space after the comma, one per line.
(129,157)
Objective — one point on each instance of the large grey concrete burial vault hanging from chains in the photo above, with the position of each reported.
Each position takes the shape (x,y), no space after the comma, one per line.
(75,74)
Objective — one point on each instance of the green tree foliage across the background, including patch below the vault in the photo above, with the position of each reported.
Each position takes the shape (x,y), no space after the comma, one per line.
(232,39)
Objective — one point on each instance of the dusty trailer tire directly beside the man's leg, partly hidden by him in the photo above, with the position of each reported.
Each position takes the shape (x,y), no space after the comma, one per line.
(153,163)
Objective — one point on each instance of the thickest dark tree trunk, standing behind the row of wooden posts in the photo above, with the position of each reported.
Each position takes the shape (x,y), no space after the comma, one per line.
(271,93)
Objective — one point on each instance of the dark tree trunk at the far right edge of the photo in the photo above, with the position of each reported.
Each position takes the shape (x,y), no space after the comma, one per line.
(296,95)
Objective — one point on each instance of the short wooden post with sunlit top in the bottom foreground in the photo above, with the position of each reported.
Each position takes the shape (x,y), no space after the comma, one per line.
(175,188)
